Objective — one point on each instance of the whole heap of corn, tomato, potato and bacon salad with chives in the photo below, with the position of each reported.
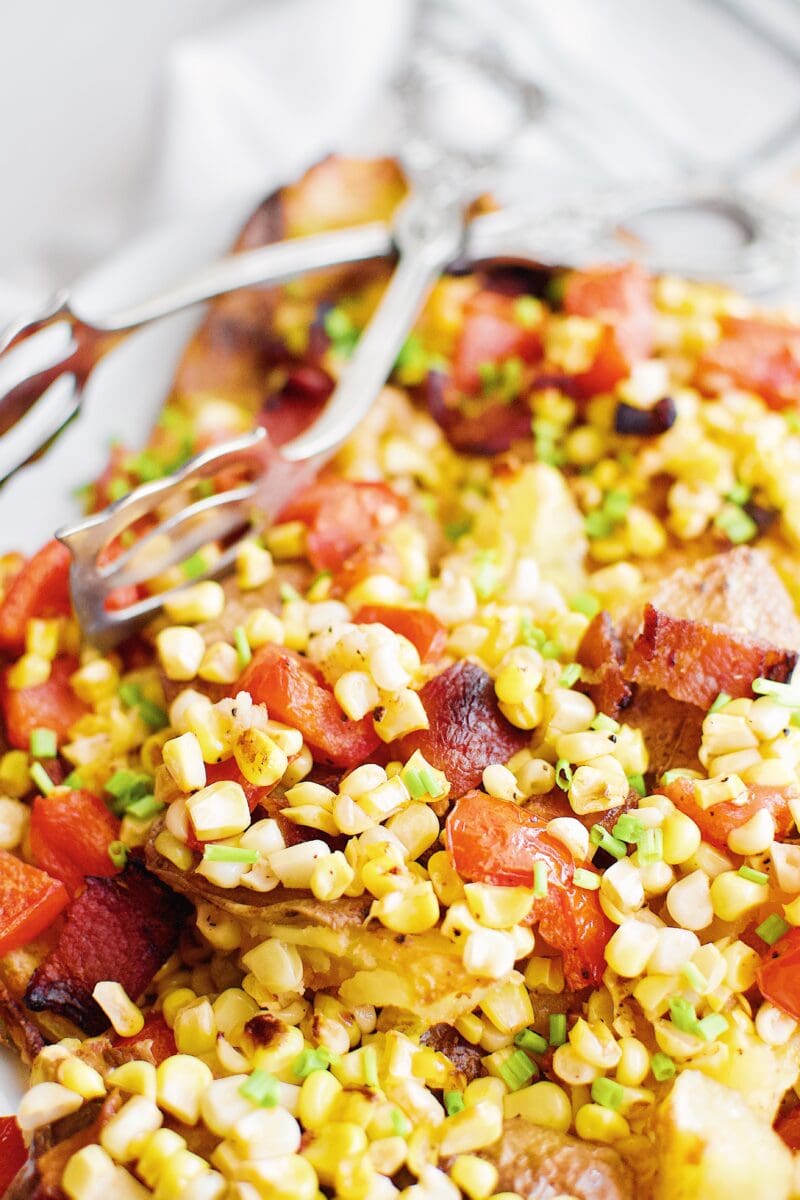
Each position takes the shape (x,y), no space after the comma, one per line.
(449,848)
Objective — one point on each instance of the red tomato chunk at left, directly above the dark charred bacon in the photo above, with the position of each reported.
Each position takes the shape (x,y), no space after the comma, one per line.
(70,836)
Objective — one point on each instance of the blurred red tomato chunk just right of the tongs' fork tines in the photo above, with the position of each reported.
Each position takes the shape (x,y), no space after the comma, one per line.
(342,517)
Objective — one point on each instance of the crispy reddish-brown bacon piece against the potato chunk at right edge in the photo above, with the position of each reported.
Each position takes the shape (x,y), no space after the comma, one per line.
(695,662)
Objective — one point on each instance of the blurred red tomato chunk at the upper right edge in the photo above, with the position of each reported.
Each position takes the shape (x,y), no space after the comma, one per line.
(760,356)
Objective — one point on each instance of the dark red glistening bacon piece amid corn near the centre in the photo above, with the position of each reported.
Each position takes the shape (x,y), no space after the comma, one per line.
(467,729)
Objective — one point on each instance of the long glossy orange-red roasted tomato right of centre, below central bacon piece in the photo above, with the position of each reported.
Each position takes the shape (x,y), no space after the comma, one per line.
(497,842)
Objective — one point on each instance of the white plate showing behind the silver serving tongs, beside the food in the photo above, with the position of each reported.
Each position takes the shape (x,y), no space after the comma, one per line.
(122,401)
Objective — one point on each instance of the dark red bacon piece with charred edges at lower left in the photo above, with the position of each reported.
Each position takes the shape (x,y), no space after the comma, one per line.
(122,929)
